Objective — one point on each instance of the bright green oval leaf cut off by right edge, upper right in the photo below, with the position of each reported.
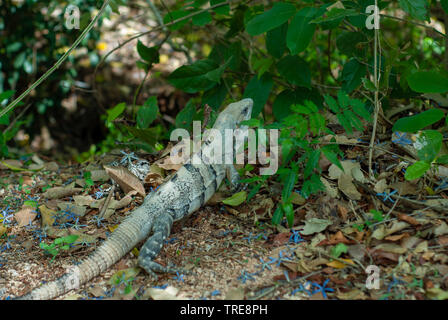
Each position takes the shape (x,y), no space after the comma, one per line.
(428,82)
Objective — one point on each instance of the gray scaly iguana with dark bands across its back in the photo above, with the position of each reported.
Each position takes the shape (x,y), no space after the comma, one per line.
(189,189)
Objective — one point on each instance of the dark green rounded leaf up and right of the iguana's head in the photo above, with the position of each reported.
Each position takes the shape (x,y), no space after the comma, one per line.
(295,70)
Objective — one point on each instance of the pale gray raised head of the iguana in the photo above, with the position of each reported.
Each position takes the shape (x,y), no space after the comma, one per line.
(234,114)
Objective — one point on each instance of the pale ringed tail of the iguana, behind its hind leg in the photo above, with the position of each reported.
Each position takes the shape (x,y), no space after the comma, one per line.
(121,241)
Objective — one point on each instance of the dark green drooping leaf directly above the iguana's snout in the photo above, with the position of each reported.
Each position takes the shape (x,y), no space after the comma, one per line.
(258,90)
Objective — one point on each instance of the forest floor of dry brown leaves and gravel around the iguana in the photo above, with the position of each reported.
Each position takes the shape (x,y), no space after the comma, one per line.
(230,252)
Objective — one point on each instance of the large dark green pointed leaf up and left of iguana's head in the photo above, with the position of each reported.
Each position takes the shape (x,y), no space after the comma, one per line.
(199,76)
